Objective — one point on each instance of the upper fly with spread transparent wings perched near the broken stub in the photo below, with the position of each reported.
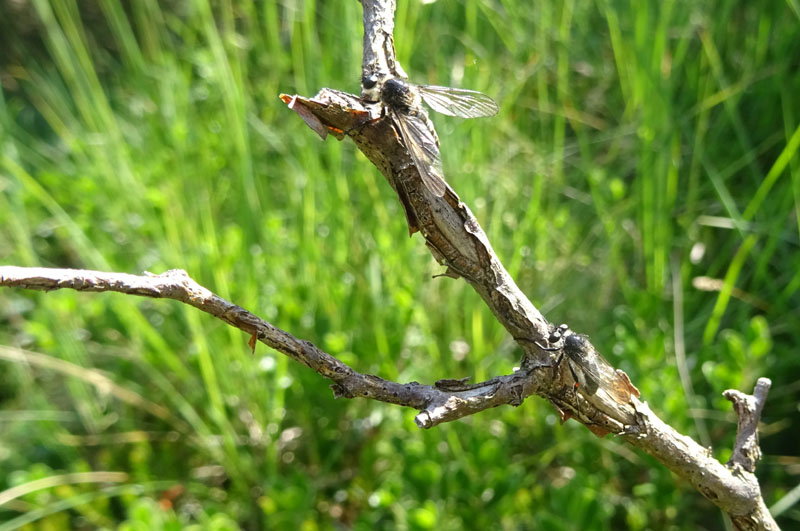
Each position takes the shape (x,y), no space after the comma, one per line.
(402,101)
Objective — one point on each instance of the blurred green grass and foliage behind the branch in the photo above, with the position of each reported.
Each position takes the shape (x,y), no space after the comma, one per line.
(641,183)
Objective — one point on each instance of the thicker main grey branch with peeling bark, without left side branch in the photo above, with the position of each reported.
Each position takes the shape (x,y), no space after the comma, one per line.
(456,240)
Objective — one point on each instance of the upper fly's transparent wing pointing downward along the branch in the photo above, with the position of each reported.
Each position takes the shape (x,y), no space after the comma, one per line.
(424,150)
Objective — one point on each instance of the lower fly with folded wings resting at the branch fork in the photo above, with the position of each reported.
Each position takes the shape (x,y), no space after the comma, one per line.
(590,370)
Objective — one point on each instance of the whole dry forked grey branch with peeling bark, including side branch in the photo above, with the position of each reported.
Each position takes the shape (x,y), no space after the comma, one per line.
(456,240)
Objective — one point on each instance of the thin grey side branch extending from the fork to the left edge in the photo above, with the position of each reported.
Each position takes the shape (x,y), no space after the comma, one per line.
(448,400)
